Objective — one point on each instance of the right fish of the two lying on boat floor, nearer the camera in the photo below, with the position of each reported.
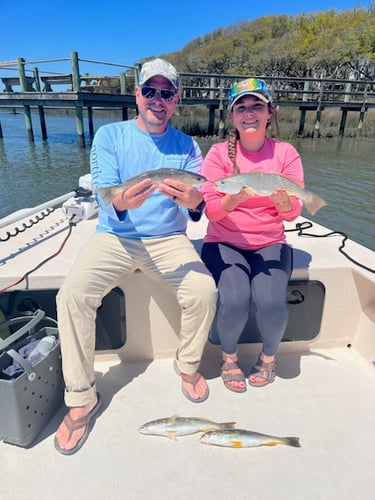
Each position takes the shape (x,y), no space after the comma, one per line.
(240,438)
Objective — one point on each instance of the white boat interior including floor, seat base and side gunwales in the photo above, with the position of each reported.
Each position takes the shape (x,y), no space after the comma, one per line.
(324,393)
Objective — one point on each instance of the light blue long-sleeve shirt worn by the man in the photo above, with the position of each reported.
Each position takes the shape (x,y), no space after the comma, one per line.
(121,151)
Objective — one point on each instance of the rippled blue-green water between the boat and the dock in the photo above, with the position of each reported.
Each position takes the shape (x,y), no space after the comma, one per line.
(341,170)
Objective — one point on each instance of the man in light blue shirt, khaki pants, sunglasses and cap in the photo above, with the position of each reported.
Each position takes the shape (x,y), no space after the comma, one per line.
(142,228)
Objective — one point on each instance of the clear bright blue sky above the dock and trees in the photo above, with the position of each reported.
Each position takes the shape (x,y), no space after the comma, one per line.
(124,32)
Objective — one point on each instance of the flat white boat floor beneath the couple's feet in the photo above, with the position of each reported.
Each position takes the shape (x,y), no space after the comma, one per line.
(325,397)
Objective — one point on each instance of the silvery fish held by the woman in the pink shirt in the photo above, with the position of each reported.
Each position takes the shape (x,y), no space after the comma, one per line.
(262,183)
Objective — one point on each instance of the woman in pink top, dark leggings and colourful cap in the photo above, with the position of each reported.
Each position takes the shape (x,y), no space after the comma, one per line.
(245,247)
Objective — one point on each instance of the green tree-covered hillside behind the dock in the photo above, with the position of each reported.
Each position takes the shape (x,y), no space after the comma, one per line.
(328,44)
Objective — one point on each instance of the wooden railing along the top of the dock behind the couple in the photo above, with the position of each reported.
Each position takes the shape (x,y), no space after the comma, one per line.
(196,87)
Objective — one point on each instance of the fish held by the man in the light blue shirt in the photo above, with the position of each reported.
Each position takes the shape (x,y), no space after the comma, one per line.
(155,176)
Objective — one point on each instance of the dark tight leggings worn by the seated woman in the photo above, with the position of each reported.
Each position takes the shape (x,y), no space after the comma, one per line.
(243,276)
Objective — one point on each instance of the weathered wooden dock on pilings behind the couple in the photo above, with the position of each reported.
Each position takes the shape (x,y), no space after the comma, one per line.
(210,91)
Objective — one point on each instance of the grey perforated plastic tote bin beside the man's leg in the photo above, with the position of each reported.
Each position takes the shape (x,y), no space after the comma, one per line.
(28,402)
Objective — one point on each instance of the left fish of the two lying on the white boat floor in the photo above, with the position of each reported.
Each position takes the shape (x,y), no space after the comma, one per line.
(174,426)
